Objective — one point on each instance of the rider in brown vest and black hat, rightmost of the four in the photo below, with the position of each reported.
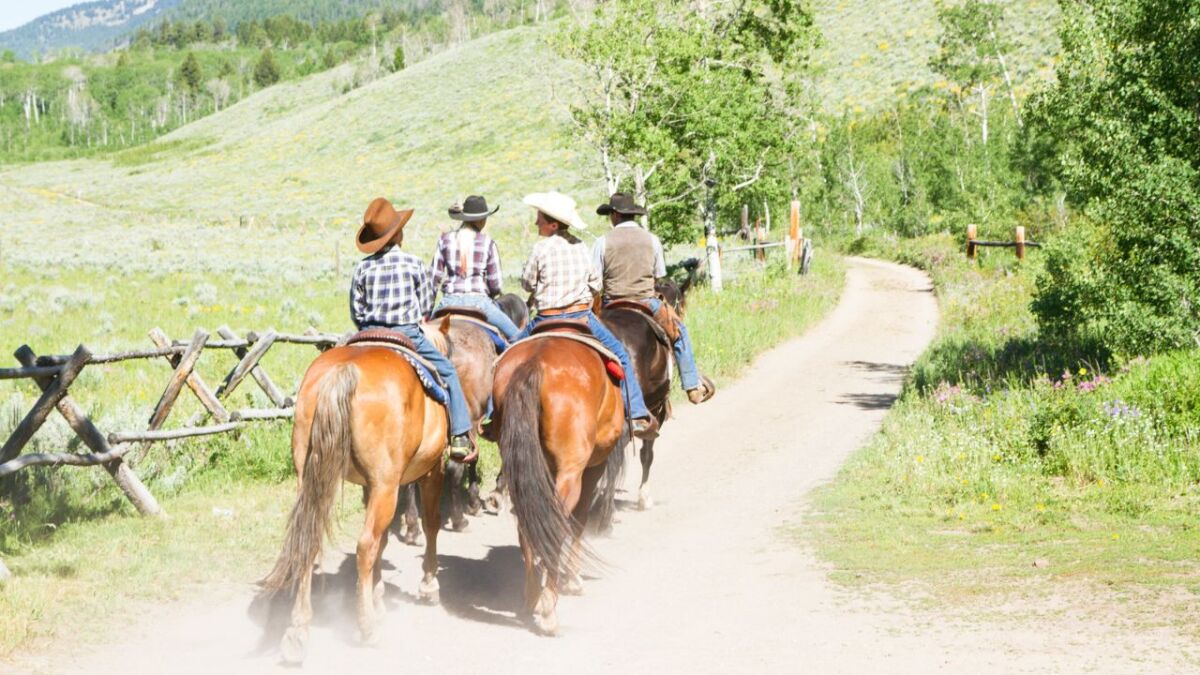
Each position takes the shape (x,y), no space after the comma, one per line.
(629,260)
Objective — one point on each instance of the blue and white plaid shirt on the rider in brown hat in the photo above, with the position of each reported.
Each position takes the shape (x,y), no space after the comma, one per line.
(391,289)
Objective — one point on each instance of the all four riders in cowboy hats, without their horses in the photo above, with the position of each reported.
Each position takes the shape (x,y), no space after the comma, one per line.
(395,290)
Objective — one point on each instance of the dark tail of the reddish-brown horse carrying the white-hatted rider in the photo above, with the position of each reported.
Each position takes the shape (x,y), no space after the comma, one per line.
(543,523)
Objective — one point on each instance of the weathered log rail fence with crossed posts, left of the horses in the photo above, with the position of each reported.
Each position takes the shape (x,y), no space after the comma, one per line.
(56,374)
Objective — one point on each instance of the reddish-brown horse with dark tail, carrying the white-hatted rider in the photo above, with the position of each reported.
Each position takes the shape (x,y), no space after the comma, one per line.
(560,416)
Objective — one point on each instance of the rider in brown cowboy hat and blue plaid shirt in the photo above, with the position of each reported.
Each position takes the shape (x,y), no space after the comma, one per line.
(394,290)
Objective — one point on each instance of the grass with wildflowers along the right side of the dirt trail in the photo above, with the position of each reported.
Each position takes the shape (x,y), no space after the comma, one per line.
(1009,473)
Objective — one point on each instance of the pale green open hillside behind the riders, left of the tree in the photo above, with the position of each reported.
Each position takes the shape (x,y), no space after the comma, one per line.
(287,172)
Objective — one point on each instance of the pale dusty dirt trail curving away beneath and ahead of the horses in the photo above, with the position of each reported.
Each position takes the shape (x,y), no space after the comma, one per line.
(706,582)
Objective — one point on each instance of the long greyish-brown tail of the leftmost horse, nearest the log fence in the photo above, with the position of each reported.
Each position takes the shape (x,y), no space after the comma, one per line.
(329,456)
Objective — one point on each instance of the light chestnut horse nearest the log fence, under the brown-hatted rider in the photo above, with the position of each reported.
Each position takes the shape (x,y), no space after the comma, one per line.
(362,415)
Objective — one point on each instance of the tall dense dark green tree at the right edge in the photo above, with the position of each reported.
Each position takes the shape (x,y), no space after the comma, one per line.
(1121,122)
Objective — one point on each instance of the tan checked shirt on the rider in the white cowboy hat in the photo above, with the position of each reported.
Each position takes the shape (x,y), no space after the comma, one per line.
(560,274)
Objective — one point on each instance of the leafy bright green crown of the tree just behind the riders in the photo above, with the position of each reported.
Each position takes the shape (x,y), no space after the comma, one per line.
(677,99)
